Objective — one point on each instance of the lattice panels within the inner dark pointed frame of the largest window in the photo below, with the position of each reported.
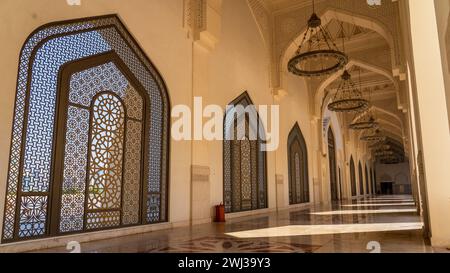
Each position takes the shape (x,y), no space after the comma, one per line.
(85,86)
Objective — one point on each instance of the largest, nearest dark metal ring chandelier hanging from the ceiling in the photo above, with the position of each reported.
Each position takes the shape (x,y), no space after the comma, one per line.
(317,54)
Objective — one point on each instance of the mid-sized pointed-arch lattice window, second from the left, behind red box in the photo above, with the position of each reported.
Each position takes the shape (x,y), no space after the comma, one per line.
(245,183)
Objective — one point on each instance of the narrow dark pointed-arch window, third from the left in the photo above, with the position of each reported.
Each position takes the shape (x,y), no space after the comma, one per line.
(298,167)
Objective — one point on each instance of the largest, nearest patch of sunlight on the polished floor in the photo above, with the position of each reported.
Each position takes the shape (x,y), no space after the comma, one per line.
(306,230)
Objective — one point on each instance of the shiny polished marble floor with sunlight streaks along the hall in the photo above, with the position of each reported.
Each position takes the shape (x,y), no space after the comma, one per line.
(346,227)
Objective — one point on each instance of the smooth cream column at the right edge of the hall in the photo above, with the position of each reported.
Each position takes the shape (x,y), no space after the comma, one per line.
(432,115)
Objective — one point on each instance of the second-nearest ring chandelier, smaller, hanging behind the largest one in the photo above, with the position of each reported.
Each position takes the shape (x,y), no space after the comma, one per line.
(348,97)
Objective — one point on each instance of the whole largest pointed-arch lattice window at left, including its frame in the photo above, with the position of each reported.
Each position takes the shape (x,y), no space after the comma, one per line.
(89,152)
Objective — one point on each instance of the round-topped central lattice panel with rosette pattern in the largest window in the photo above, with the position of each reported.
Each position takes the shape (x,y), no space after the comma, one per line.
(106,153)
